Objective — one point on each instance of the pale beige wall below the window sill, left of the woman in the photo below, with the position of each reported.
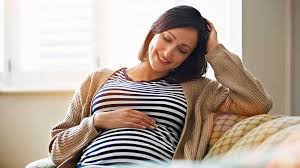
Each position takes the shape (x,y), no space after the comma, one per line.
(26,119)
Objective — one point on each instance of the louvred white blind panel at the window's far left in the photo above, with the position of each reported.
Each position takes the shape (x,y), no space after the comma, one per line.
(61,33)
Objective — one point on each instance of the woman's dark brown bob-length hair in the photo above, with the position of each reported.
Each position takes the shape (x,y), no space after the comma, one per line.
(182,16)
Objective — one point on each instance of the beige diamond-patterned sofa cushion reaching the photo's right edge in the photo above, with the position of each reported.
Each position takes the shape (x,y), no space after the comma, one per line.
(254,133)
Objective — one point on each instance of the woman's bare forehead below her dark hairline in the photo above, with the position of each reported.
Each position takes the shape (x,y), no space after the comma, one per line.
(186,35)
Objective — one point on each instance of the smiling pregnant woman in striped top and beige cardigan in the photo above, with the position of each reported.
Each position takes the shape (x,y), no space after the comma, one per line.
(160,109)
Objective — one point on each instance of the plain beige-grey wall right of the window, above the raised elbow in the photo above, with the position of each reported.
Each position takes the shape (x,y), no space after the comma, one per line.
(267,48)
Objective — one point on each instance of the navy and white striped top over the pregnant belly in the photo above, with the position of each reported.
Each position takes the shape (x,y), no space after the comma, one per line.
(161,100)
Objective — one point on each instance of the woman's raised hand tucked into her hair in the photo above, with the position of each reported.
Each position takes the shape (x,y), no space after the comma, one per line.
(212,40)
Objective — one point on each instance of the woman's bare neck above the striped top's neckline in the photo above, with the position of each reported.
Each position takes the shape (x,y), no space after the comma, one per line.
(144,72)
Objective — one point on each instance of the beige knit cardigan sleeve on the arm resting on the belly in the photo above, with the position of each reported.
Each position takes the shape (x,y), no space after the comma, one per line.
(71,135)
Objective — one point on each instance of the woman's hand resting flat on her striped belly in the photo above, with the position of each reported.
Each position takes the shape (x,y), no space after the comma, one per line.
(123,118)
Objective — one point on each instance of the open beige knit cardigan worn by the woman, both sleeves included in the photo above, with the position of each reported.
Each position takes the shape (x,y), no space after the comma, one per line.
(235,89)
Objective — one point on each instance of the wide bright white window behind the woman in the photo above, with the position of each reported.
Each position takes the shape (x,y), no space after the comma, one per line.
(52,44)
